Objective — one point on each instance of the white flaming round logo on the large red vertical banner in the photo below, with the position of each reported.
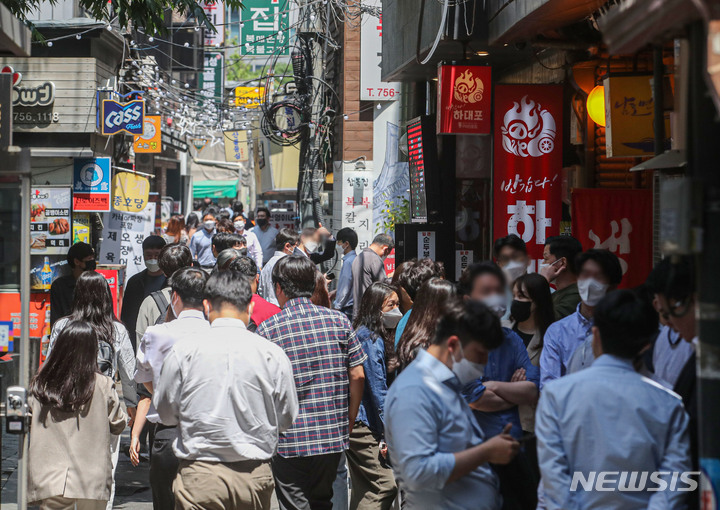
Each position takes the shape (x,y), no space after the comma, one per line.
(528,130)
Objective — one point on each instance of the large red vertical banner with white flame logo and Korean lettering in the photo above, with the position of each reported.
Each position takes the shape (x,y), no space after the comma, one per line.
(527,171)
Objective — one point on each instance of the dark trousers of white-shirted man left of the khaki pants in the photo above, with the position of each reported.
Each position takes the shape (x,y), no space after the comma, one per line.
(163,467)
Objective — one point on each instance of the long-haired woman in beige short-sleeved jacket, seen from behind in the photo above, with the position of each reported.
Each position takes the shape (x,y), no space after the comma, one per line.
(76,417)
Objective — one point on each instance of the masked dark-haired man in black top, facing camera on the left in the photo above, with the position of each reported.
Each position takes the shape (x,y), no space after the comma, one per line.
(142,284)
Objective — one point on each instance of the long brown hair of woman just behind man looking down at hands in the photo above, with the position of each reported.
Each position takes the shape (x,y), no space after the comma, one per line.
(429,306)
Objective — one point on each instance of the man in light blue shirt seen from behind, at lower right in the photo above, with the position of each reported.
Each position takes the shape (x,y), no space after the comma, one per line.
(608,427)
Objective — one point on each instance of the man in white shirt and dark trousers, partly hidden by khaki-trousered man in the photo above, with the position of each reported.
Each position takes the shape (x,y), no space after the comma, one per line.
(186,303)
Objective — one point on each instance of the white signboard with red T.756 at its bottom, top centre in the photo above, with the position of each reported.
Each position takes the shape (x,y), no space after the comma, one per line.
(372,88)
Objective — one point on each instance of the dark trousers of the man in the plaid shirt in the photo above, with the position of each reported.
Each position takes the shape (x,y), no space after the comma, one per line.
(305,483)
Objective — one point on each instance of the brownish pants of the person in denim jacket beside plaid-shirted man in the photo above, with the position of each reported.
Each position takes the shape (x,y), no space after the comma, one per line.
(373,486)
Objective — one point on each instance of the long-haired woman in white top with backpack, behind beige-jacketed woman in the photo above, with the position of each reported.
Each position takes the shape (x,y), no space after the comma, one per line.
(93,305)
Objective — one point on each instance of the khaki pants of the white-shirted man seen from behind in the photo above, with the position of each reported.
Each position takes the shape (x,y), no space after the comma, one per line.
(244,485)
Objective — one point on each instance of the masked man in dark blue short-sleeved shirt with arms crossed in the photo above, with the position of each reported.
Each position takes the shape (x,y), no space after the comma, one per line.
(509,381)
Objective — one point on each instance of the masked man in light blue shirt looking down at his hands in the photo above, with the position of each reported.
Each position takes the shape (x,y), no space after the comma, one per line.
(440,455)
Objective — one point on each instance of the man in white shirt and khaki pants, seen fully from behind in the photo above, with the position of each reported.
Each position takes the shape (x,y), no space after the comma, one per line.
(231,393)
